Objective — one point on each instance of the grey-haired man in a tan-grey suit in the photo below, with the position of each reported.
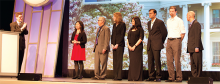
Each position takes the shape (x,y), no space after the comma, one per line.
(101,49)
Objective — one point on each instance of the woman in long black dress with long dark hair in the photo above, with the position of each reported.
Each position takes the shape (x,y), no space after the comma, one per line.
(135,47)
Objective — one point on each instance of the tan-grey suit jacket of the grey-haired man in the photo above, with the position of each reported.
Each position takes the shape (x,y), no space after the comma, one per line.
(103,40)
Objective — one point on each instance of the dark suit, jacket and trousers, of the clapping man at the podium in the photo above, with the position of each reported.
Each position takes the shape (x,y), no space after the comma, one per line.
(17,28)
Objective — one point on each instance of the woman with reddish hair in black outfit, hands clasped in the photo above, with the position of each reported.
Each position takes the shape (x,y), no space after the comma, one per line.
(118,43)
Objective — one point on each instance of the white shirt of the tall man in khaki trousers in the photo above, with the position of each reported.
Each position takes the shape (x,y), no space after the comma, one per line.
(175,27)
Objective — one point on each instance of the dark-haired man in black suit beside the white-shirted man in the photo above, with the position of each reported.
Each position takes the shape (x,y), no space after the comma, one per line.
(157,35)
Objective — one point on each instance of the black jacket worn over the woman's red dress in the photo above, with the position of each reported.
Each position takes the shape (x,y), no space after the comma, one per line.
(82,38)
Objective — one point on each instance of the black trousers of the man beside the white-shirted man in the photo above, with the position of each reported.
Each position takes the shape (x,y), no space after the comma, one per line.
(154,55)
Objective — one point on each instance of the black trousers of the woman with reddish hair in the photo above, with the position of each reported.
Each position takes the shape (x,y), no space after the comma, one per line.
(117,62)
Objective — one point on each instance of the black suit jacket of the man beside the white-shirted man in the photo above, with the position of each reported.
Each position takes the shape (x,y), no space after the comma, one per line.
(157,35)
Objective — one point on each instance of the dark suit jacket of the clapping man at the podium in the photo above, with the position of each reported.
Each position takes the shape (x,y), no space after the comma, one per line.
(15,28)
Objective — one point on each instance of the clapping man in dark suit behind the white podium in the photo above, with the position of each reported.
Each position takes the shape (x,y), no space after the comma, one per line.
(21,27)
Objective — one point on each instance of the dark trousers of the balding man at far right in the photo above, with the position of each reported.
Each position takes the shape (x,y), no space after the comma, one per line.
(196,63)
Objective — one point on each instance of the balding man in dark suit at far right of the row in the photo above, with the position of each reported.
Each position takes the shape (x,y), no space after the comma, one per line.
(194,45)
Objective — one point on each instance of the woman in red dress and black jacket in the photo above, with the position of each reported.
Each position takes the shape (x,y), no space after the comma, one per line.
(79,40)
